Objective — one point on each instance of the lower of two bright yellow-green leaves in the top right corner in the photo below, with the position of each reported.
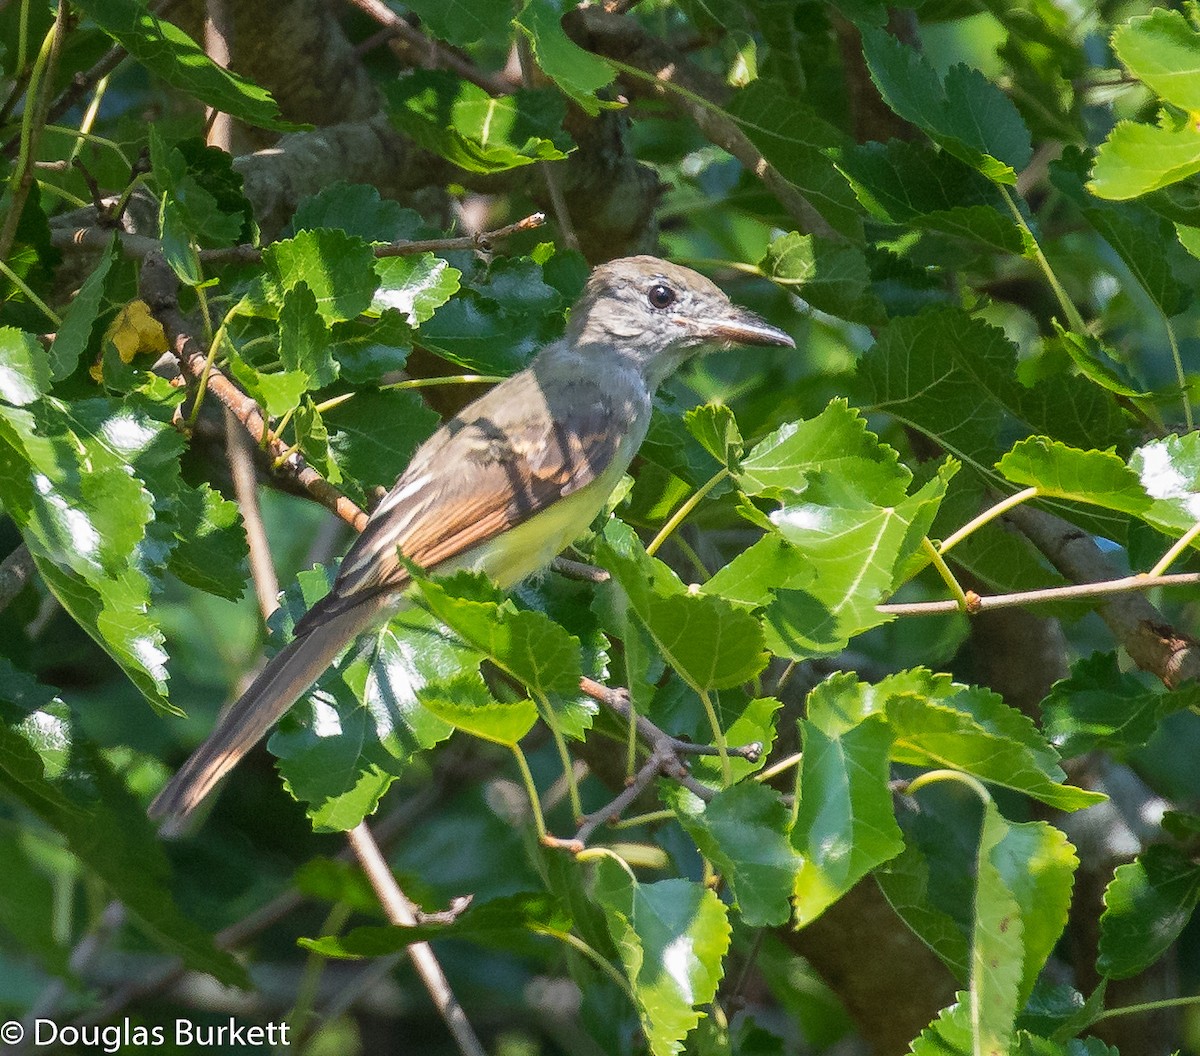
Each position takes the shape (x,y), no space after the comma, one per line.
(1139,159)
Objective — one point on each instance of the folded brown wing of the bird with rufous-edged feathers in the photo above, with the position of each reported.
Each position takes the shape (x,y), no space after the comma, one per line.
(511,458)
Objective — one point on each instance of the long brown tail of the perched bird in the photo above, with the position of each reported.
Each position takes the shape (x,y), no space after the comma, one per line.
(281,683)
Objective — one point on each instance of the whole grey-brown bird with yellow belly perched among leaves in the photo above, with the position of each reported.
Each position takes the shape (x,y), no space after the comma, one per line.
(503,488)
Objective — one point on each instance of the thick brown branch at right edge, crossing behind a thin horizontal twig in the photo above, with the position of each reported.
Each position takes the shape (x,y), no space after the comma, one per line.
(1150,640)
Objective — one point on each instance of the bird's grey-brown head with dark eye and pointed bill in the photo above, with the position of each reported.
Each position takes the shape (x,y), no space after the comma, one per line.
(661,315)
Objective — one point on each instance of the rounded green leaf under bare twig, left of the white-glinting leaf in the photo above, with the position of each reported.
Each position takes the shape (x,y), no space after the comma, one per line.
(338,268)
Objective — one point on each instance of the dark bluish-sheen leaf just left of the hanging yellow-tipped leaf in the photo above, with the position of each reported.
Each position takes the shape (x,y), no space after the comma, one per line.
(745,832)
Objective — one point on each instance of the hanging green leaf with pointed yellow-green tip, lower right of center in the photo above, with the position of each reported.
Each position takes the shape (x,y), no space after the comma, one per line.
(845,825)
